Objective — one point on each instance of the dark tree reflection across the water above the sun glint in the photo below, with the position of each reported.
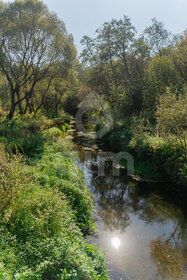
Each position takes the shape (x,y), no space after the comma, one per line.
(117,201)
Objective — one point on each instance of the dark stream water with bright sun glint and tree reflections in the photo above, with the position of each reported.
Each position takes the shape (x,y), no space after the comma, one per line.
(142,226)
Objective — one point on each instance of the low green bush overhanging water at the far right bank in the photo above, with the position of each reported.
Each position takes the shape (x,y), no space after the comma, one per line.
(167,155)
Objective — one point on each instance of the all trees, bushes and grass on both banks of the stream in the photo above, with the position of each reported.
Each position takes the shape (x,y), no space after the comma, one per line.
(45,206)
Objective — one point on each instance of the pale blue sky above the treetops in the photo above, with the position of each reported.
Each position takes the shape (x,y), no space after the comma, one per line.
(82,17)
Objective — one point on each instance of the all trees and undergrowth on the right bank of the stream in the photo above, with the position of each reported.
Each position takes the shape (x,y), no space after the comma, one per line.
(143,79)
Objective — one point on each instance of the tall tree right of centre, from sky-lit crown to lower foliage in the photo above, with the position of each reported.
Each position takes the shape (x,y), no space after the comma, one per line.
(117,62)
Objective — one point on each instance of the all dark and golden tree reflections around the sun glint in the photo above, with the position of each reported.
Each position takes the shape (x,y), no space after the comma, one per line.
(118,198)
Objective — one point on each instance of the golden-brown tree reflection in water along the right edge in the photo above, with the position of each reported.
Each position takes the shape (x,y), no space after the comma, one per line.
(167,253)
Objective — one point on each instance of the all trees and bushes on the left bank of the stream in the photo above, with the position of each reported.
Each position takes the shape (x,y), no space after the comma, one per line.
(45,205)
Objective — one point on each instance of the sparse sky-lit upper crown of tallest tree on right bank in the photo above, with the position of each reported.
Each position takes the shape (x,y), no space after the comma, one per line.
(113,42)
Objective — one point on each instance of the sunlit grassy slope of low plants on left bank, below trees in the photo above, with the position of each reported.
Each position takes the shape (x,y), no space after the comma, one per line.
(45,209)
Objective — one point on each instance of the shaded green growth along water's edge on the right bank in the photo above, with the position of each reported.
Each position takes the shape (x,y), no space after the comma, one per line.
(154,157)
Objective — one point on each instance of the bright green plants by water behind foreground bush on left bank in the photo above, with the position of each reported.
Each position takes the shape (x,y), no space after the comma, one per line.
(58,169)
